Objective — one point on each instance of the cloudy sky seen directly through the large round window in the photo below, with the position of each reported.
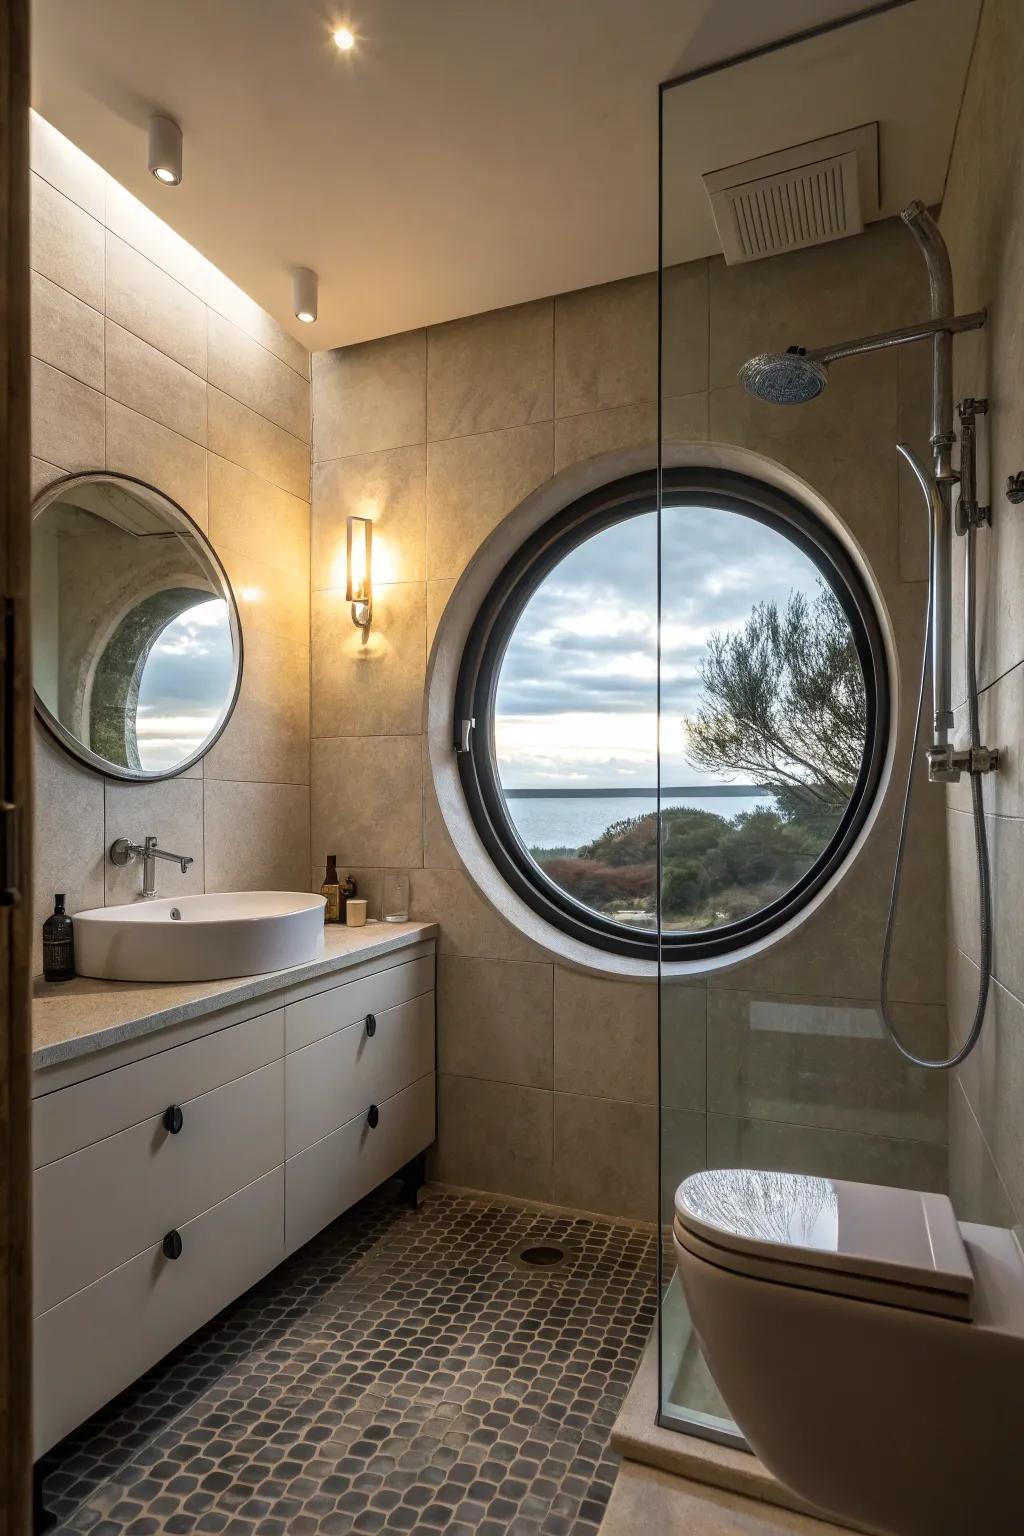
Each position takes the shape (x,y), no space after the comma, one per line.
(576,703)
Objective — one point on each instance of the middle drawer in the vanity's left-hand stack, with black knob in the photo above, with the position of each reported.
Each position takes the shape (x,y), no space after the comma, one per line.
(99,1208)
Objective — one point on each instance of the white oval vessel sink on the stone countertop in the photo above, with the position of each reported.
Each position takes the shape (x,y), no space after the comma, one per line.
(200,938)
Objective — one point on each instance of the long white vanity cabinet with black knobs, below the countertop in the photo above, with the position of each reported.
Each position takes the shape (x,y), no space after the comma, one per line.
(174,1170)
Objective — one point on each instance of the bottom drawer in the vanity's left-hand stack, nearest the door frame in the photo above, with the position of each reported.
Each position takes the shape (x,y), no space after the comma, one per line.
(102,1339)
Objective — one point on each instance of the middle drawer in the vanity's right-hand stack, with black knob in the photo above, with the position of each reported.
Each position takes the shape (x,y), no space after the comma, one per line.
(331,1082)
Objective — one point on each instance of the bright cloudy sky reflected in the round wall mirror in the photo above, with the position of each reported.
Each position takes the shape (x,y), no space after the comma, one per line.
(185,686)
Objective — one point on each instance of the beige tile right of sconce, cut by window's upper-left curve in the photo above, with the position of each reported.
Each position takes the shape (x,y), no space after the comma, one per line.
(474,483)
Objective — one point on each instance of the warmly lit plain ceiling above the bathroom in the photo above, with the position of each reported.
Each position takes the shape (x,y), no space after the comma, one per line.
(472,154)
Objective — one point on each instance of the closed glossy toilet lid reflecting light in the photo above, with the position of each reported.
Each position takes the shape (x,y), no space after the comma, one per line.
(844,1234)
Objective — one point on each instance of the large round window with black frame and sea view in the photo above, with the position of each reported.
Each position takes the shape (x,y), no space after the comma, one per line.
(741,635)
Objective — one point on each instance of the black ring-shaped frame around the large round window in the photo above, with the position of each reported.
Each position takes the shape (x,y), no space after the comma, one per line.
(500,617)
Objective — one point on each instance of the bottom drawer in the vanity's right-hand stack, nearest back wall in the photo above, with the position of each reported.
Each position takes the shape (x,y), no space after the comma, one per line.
(345,1167)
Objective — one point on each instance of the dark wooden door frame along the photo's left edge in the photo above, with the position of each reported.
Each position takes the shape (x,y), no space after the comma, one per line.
(16,780)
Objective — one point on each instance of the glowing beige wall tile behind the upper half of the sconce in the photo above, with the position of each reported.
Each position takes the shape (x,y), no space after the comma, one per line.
(388,488)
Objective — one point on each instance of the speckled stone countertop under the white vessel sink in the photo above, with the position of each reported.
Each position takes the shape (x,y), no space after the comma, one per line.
(71,1019)
